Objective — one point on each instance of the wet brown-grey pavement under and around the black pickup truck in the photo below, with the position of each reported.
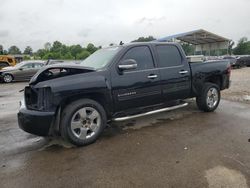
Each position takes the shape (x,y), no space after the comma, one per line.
(182,148)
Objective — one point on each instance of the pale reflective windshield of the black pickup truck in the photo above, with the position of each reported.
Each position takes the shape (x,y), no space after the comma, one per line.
(101,57)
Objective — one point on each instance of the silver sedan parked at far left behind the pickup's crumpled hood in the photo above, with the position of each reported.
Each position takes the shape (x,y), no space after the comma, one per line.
(20,72)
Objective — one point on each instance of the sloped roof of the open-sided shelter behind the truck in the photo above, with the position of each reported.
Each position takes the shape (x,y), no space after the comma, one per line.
(196,37)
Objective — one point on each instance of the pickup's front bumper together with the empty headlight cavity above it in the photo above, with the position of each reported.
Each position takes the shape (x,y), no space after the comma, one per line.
(36,114)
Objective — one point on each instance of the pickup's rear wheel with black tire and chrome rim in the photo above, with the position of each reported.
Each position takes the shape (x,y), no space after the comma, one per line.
(209,98)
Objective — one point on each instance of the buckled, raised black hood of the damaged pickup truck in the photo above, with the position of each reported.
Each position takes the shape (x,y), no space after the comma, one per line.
(57,71)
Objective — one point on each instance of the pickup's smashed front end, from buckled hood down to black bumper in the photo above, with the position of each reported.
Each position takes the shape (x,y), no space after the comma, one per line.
(38,111)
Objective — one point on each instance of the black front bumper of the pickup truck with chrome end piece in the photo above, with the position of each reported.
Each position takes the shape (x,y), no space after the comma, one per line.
(35,122)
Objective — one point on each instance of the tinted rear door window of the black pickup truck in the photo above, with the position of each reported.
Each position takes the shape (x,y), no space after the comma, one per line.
(169,56)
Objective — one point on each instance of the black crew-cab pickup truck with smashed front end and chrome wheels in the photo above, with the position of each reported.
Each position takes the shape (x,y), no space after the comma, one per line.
(115,84)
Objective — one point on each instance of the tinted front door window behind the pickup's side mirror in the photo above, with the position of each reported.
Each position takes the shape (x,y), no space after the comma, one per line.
(142,56)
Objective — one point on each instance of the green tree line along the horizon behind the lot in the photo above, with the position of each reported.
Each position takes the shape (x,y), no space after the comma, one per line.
(58,50)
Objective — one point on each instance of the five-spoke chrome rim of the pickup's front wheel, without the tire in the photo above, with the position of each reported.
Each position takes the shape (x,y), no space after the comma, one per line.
(85,123)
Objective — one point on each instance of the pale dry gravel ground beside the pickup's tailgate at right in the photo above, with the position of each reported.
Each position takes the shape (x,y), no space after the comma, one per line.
(240,87)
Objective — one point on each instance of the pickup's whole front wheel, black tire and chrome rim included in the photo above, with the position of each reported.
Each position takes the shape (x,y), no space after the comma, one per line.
(82,122)
